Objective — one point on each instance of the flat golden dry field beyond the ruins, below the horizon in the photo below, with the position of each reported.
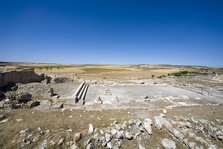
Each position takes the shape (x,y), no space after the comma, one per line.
(114,71)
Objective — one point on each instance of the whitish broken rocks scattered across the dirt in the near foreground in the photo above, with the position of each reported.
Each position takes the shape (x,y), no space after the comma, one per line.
(132,130)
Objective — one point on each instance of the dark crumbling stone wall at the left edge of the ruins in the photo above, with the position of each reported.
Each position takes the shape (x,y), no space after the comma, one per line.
(25,75)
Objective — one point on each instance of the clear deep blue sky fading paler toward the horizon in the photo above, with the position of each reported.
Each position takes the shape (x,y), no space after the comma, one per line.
(188,32)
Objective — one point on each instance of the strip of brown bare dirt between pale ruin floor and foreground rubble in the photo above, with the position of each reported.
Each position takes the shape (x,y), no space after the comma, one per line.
(59,121)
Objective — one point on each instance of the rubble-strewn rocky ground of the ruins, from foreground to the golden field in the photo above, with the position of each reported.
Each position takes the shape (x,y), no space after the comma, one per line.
(171,112)
